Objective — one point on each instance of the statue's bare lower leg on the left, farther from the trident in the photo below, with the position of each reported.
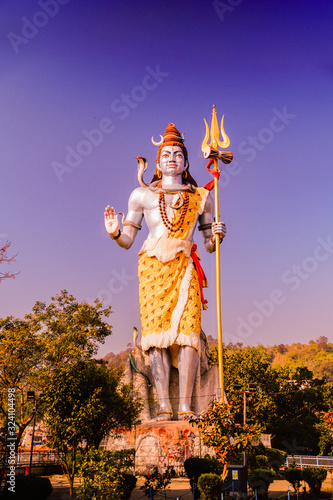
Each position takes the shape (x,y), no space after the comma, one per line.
(160,364)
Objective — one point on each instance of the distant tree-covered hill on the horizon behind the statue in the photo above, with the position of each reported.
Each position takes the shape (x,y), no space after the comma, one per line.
(317,356)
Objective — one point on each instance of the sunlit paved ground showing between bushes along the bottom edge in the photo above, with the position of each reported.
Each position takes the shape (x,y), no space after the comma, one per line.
(179,488)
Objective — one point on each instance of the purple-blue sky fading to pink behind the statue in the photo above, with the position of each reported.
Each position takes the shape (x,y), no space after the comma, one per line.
(69,68)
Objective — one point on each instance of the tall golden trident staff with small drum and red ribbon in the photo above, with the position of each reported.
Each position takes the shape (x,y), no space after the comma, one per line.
(211,151)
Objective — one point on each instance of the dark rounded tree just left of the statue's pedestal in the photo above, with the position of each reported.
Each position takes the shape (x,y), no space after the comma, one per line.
(83,402)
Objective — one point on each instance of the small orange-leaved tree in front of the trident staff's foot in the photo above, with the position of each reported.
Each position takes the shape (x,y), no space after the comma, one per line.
(219,430)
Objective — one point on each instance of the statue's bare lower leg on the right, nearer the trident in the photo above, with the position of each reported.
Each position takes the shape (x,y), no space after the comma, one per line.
(188,362)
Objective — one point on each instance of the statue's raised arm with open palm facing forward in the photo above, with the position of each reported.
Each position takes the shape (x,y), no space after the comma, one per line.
(132,224)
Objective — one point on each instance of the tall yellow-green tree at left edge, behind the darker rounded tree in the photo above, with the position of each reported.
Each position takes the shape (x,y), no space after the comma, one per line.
(31,349)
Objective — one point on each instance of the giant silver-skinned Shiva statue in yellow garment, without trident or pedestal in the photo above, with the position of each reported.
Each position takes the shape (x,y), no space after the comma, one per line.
(170,276)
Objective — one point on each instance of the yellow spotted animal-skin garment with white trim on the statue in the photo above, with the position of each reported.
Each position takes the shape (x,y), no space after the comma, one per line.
(169,290)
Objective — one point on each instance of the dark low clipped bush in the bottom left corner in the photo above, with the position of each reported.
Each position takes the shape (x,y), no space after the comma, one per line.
(30,488)
